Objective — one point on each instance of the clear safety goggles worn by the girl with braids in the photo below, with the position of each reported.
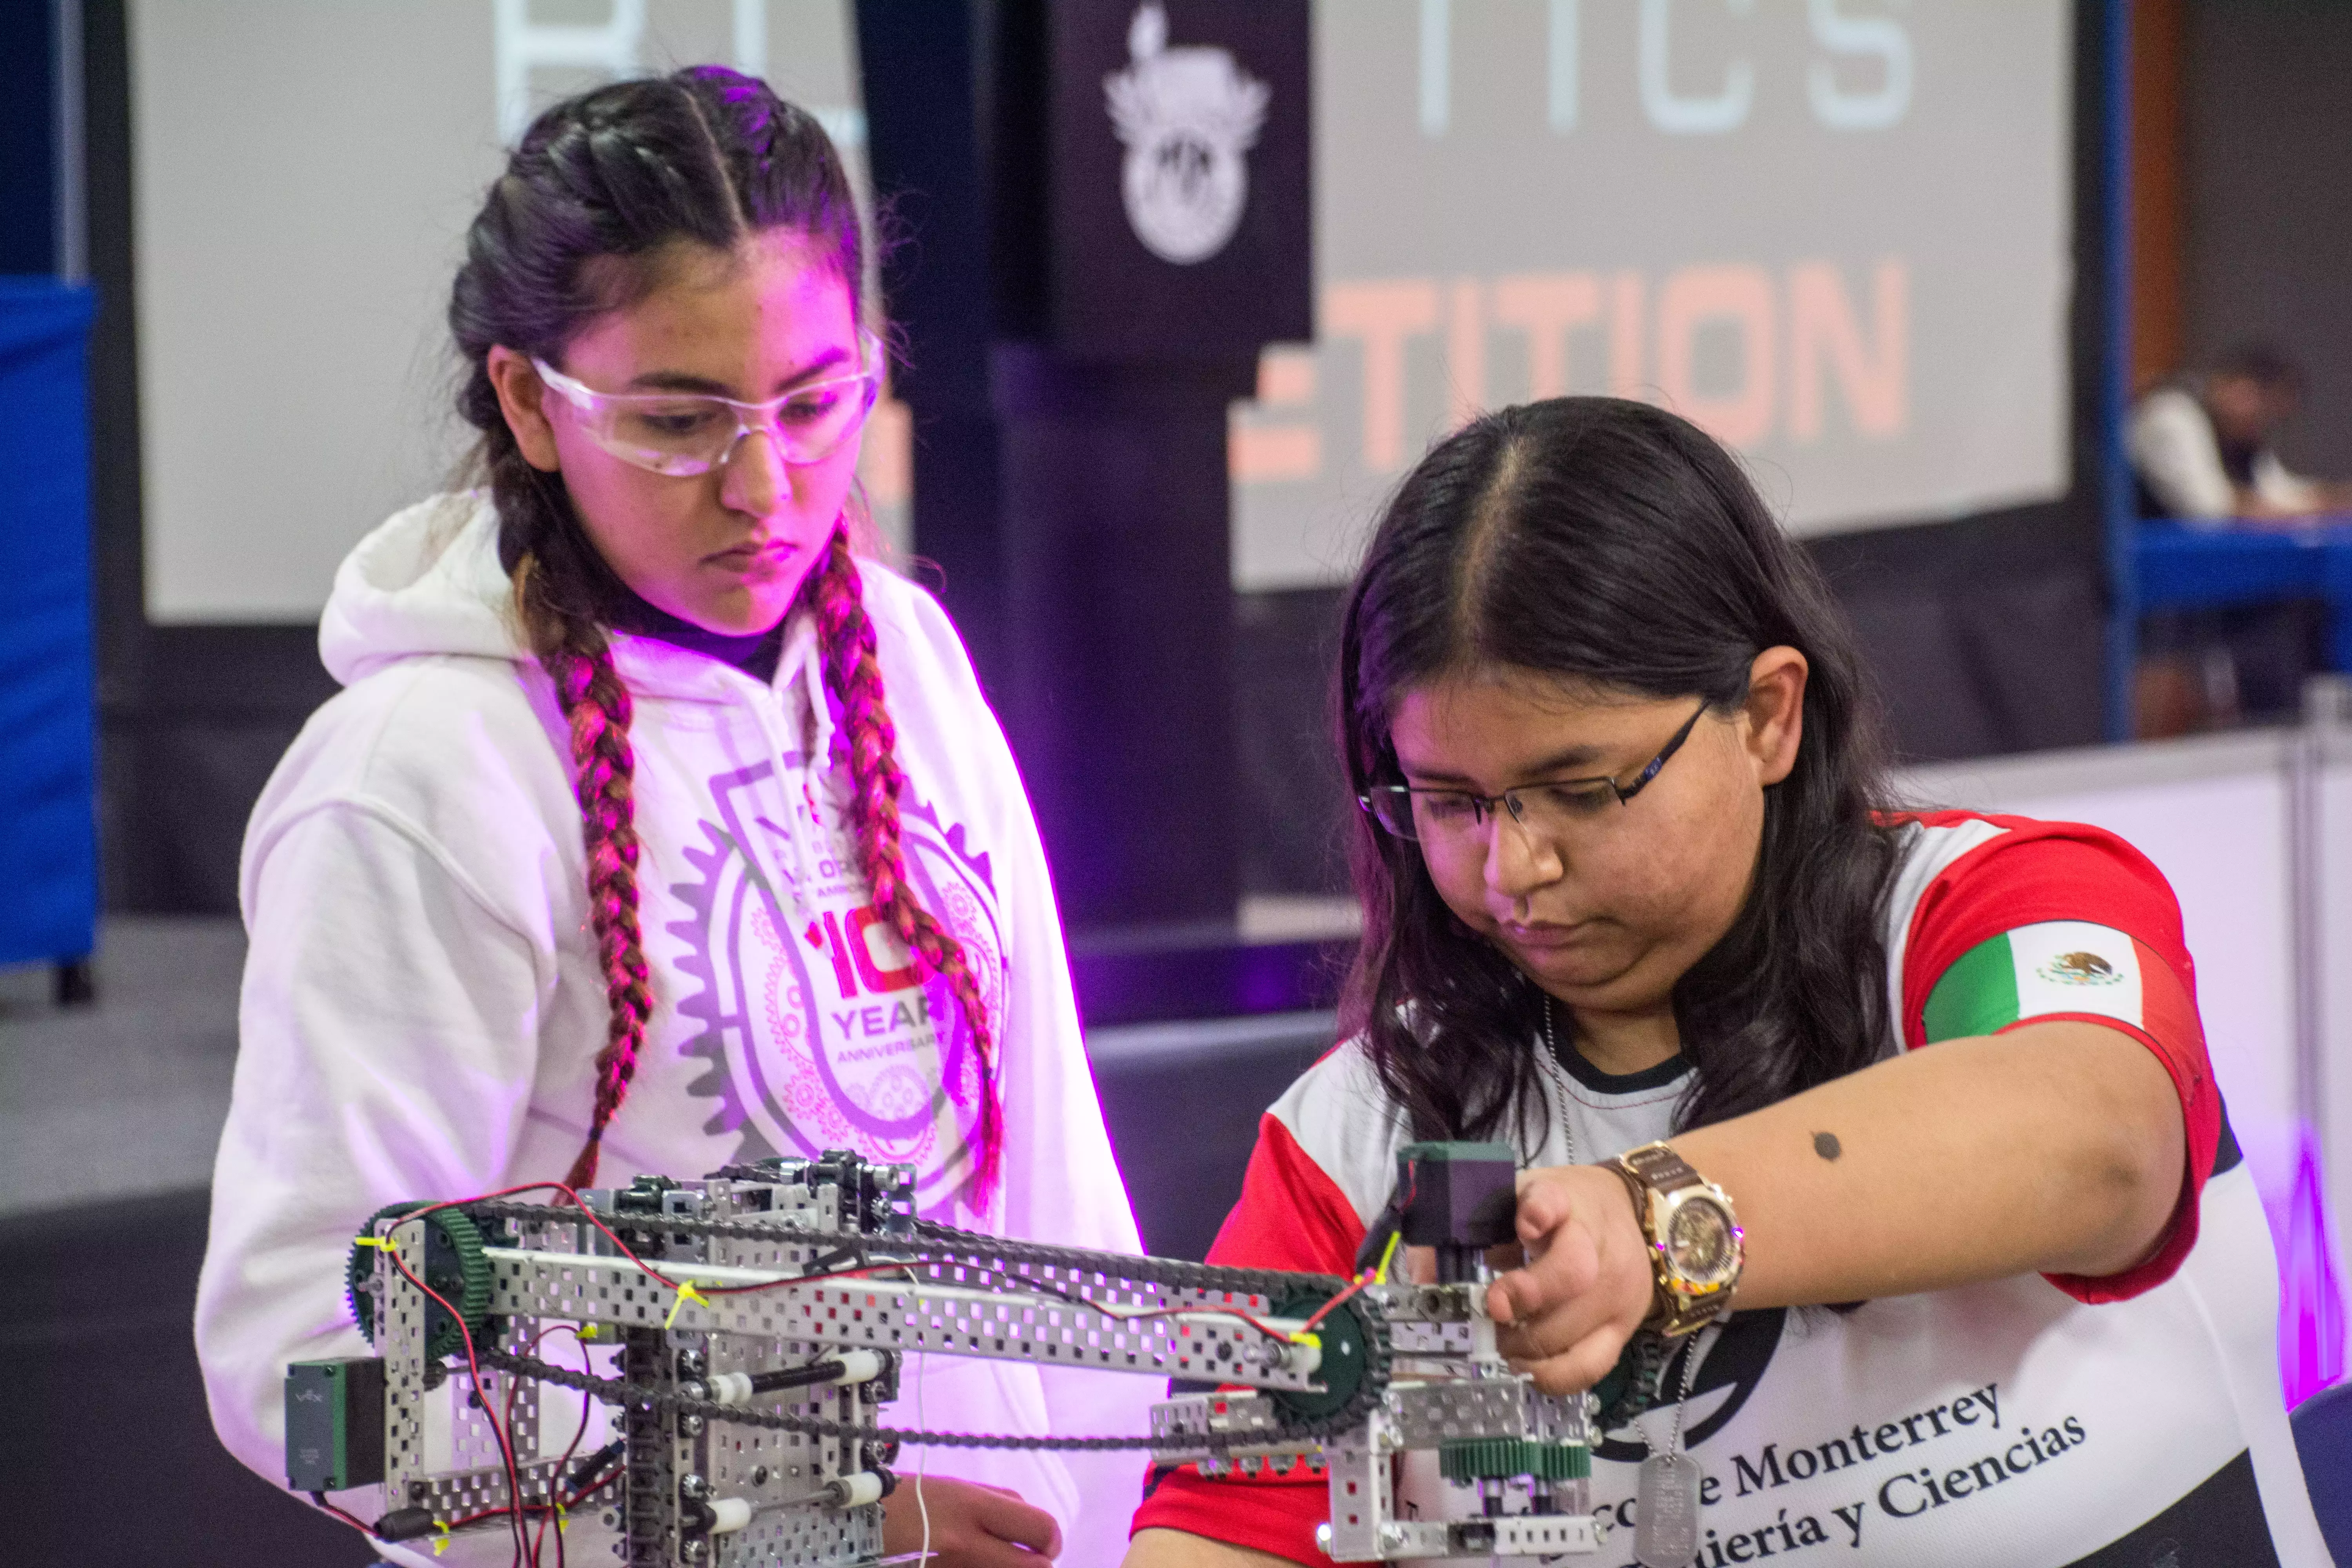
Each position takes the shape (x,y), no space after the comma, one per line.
(686,434)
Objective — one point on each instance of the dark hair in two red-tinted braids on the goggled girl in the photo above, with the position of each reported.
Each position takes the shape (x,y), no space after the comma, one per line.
(575,227)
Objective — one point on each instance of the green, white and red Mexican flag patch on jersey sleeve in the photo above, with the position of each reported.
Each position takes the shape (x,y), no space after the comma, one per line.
(2033,972)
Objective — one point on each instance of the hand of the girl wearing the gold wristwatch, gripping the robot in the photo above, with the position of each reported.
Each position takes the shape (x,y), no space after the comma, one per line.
(1586,1285)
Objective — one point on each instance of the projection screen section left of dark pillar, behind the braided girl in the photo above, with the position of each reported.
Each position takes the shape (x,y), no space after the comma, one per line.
(302,185)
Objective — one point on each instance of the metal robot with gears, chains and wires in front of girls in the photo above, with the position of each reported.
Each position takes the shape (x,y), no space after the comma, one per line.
(759,1320)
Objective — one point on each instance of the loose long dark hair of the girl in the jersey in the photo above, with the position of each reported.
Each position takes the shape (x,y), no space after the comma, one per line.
(1615,544)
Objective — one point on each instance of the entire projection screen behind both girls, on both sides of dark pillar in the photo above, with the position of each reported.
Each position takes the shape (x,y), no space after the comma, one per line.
(1833,232)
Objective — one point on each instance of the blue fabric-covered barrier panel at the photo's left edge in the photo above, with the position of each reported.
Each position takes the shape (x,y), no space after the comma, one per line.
(48,732)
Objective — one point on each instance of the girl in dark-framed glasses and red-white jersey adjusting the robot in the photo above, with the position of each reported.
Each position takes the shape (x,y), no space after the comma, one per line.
(1873,1167)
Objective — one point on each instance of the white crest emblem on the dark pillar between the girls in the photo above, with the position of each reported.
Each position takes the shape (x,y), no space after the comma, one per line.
(1187,119)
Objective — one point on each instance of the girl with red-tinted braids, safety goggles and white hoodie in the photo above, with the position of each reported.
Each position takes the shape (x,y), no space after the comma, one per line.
(655,831)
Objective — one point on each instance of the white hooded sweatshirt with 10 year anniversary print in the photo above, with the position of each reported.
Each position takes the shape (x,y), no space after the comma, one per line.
(425,1005)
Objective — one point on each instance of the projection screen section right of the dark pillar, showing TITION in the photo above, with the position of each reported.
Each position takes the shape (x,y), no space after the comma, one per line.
(1831,232)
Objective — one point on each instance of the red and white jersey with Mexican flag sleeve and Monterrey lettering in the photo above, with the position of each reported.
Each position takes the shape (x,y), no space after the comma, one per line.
(2033,1421)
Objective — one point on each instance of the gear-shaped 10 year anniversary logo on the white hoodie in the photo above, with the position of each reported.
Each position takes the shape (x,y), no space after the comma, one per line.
(817,1026)
